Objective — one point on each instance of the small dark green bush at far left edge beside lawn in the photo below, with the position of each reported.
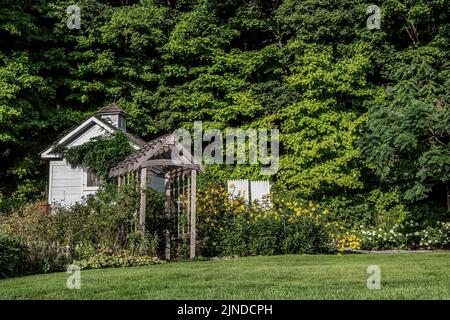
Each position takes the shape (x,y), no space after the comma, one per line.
(12,254)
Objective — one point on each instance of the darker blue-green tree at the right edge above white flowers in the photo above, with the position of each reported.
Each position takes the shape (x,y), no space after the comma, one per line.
(408,138)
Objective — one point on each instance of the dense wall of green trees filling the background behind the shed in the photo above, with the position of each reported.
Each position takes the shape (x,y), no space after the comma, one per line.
(358,110)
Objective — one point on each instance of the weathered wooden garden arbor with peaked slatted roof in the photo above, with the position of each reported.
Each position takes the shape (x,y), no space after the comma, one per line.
(155,159)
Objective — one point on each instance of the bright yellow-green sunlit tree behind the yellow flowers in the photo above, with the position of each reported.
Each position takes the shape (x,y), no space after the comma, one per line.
(321,130)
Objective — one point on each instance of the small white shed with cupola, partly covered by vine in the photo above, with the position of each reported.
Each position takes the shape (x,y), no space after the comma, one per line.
(66,185)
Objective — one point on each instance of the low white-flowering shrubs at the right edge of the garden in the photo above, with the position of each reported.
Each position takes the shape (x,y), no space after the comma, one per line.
(409,235)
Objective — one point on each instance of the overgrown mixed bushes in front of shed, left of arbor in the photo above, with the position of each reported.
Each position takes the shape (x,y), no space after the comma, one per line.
(55,238)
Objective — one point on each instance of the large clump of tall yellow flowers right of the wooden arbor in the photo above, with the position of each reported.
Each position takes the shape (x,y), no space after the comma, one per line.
(228,226)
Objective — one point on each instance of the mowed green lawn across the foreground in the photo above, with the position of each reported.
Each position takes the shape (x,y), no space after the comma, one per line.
(403,276)
